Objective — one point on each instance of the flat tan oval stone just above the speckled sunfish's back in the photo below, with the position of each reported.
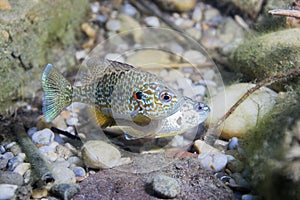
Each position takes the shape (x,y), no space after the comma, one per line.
(144,58)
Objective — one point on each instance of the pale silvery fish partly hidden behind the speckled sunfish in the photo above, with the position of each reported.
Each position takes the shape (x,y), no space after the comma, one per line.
(190,115)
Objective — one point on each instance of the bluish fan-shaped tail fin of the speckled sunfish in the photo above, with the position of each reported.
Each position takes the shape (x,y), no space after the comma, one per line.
(57,92)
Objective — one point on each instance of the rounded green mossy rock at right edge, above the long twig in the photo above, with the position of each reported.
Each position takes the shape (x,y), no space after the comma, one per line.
(261,57)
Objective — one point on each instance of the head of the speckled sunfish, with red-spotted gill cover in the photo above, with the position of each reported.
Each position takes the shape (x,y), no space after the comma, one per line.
(156,101)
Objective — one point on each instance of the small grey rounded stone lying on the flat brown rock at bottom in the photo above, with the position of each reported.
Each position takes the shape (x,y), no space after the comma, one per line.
(165,186)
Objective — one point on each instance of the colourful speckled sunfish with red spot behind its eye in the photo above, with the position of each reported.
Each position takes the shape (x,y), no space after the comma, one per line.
(113,91)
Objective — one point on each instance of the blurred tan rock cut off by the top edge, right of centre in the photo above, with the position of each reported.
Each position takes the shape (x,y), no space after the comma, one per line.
(177,5)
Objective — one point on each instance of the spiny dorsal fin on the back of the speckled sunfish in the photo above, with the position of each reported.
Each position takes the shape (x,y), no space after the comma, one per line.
(97,67)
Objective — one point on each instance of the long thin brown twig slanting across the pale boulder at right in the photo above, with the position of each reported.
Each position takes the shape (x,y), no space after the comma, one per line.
(211,132)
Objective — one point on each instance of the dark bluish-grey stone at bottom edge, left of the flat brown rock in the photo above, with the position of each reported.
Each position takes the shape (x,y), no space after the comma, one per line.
(65,191)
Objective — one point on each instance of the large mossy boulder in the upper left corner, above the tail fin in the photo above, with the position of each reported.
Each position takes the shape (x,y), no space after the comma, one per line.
(32,34)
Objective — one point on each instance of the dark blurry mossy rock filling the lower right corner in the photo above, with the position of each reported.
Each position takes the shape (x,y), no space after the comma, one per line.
(272,151)
